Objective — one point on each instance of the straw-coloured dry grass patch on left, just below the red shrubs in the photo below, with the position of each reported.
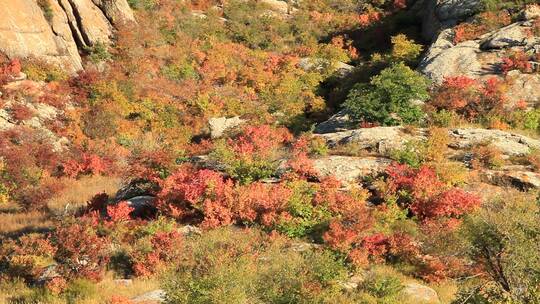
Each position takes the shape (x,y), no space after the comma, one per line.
(79,191)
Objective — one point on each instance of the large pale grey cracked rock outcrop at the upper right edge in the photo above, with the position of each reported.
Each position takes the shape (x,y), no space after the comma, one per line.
(481,58)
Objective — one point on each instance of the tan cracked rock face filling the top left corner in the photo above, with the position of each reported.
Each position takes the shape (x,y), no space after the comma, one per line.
(25,31)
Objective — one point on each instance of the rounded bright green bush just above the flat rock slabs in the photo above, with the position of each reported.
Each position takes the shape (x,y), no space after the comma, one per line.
(389,98)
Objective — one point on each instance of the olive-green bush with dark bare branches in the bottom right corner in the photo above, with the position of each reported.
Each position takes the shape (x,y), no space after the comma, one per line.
(503,238)
